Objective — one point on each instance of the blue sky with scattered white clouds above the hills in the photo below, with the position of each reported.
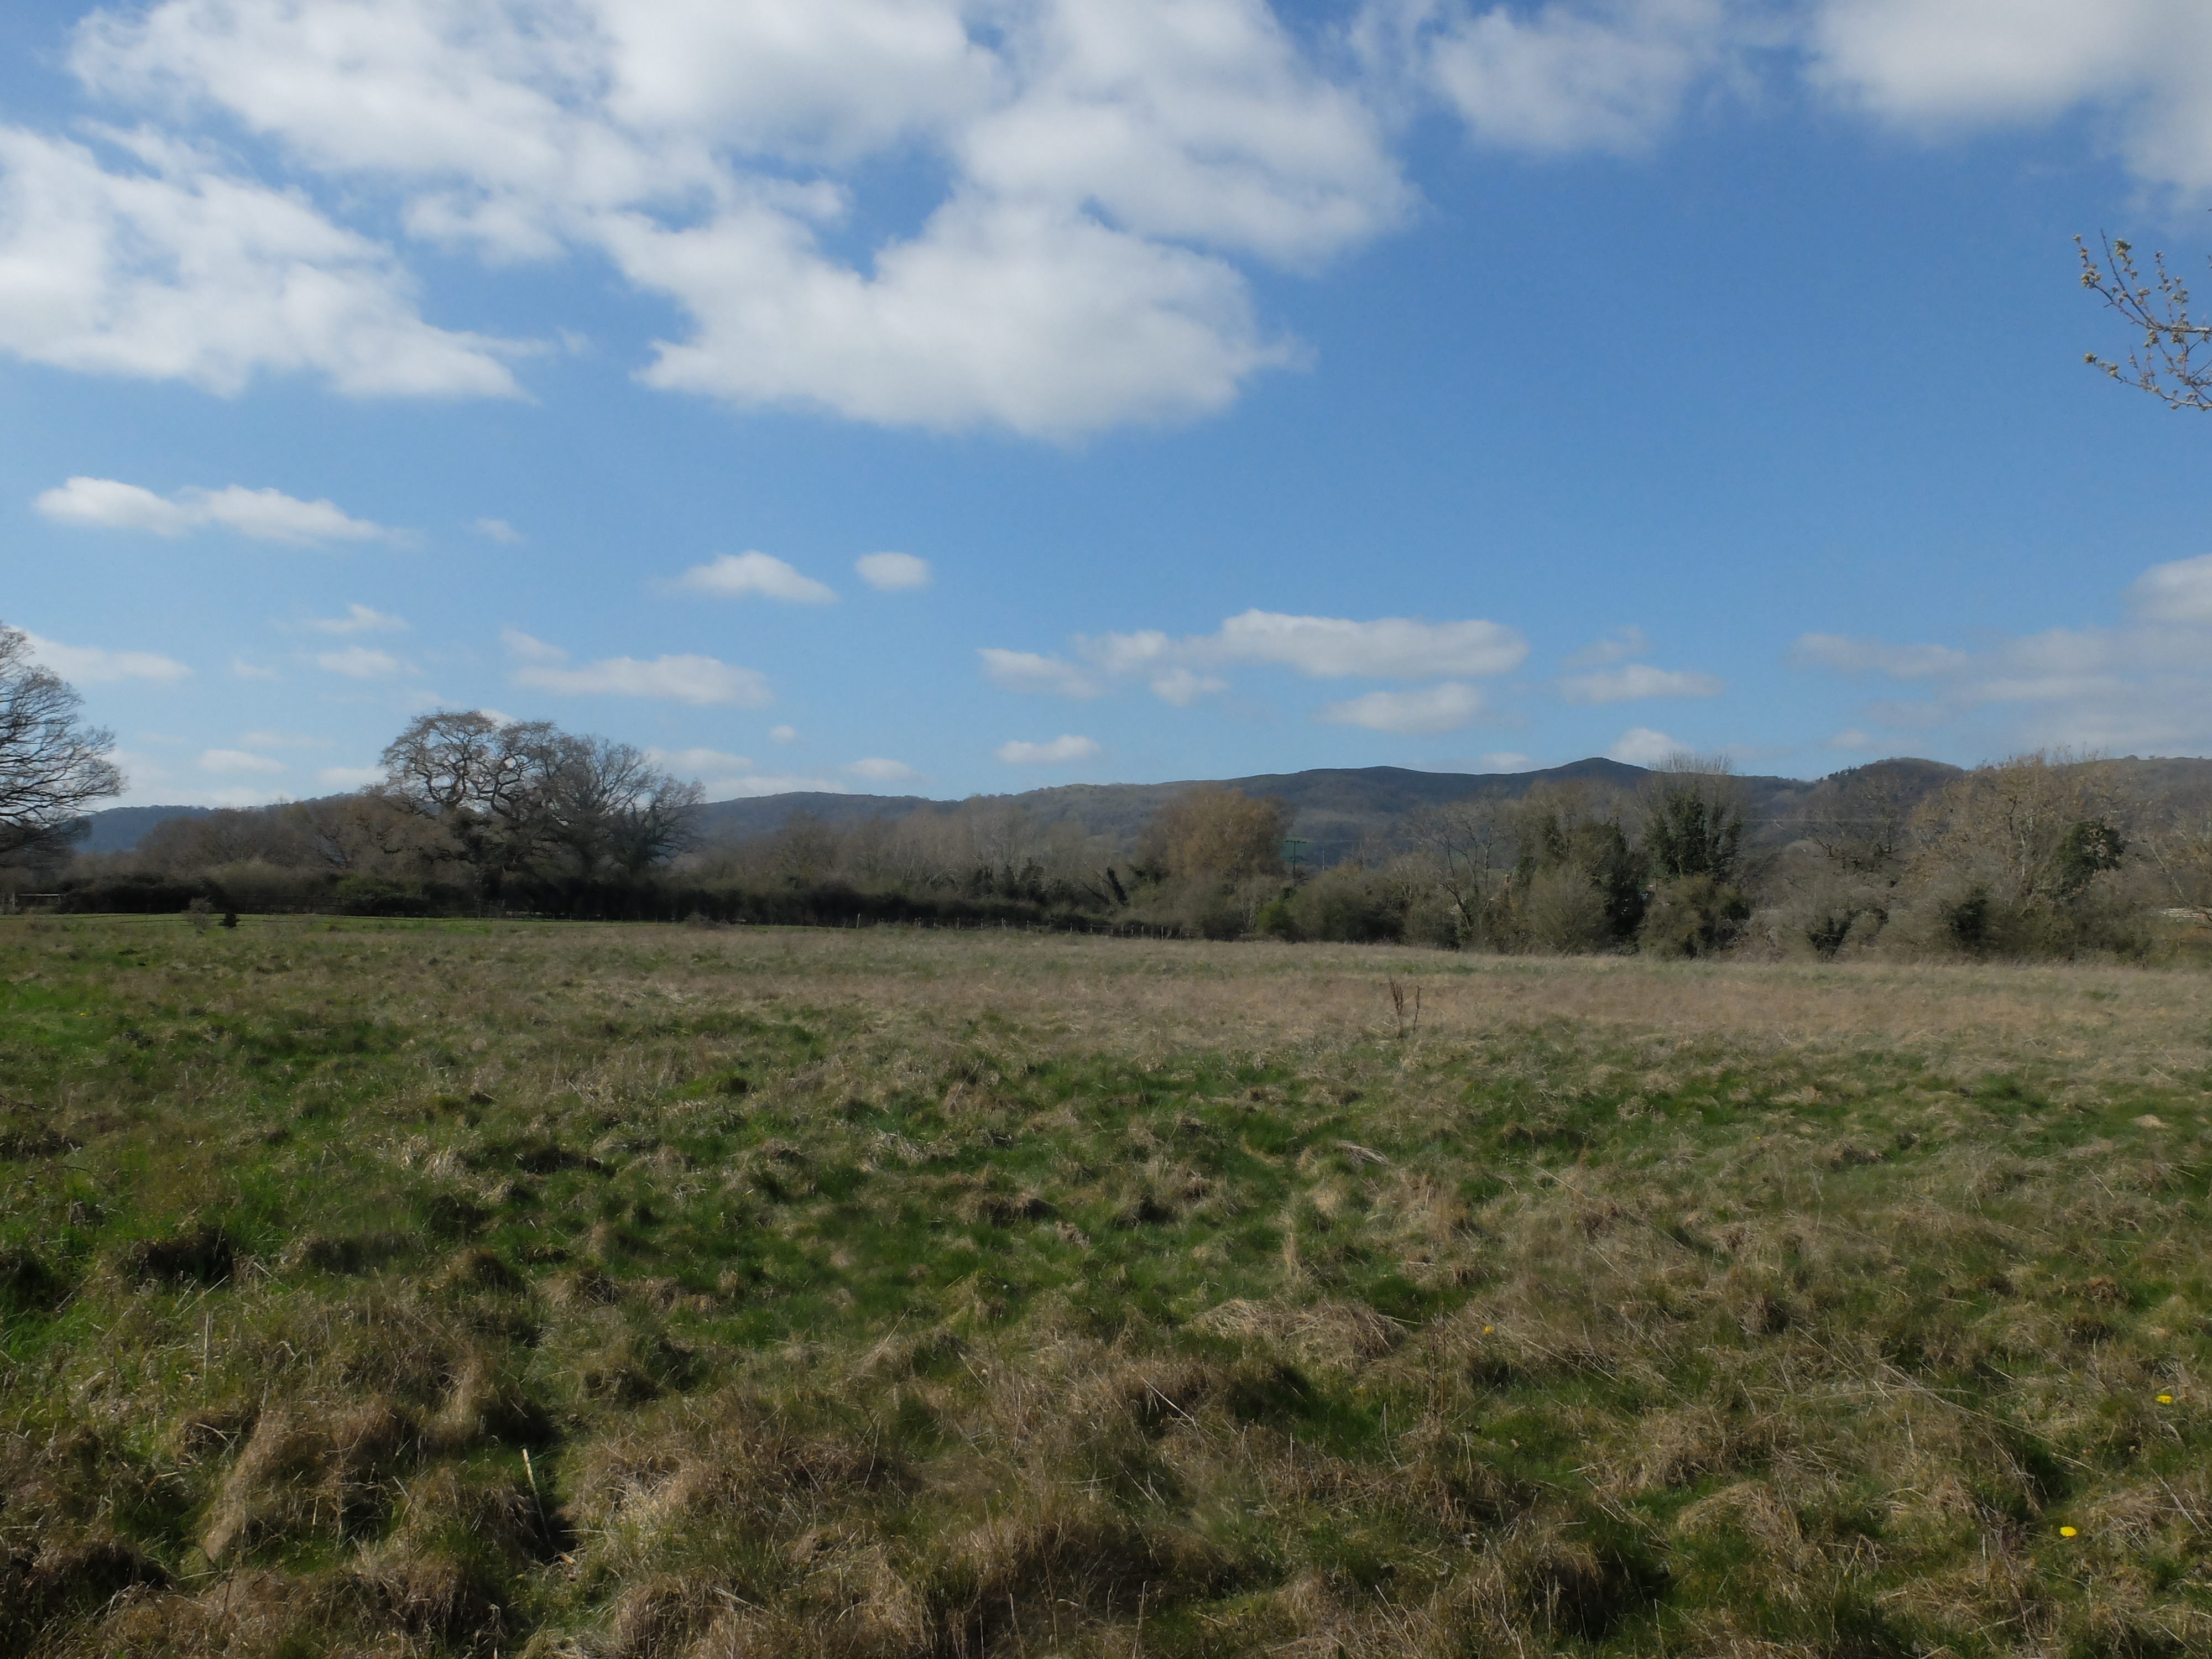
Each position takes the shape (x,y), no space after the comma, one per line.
(959,397)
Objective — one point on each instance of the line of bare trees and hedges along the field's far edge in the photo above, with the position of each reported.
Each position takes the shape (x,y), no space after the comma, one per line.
(2038,855)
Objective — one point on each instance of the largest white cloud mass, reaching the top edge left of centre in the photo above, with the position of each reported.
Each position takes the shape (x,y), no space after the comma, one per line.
(1105,165)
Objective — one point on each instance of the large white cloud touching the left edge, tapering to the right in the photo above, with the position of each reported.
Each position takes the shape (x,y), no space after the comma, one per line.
(176,271)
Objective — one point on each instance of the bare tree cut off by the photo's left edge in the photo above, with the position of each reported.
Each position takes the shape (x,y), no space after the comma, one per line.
(50,766)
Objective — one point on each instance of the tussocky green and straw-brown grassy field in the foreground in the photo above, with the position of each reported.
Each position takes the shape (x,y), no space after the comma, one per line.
(678,1291)
